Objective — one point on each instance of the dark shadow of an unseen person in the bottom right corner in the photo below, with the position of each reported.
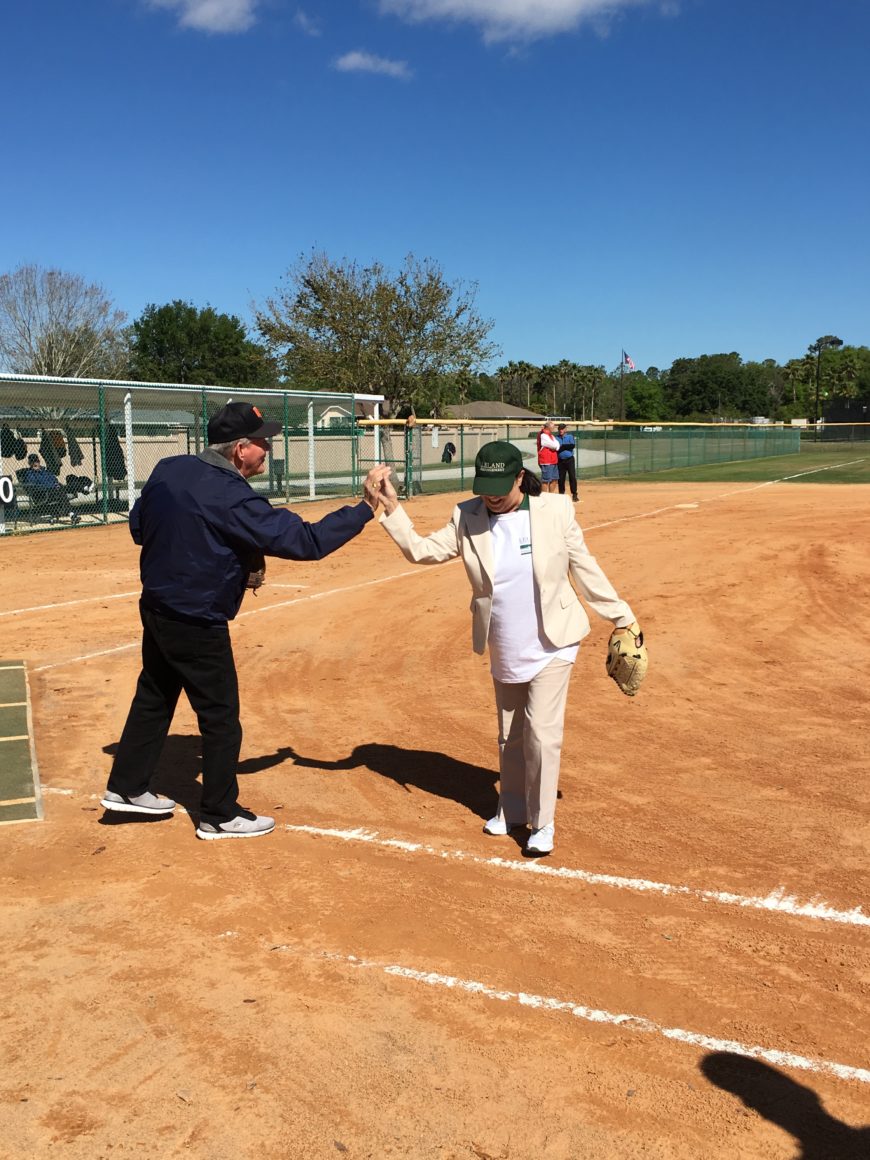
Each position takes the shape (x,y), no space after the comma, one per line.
(789,1105)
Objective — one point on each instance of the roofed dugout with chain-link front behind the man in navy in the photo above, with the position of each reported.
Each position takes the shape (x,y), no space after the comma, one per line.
(78,452)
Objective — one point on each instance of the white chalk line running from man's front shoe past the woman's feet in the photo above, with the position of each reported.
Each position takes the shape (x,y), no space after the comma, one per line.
(778,902)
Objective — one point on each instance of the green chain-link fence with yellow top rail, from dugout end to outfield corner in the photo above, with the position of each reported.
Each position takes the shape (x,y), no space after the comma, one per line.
(440,458)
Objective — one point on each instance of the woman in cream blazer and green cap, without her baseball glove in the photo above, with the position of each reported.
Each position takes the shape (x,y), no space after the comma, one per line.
(521,552)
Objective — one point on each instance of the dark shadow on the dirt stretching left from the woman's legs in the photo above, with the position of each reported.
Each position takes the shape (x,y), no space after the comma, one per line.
(473,787)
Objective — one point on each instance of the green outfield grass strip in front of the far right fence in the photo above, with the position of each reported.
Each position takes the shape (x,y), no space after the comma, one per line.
(844,465)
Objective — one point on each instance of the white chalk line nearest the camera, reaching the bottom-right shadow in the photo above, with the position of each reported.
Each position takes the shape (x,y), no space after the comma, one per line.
(597,1016)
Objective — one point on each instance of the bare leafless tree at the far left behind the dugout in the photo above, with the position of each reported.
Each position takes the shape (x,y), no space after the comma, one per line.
(54,323)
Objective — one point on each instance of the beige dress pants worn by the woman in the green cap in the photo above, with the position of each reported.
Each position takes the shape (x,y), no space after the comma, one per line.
(532,719)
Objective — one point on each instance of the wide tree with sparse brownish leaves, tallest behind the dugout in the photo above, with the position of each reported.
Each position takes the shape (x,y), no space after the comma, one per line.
(340,327)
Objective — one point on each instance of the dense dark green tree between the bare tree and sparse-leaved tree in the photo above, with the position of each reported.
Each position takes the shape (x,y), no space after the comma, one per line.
(183,344)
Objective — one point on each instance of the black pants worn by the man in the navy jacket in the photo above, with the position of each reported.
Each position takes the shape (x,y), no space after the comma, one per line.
(199,661)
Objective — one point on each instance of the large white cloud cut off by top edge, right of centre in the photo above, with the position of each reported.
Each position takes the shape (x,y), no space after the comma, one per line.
(506,20)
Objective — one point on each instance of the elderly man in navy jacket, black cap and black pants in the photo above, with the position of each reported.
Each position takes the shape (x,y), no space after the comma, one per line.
(202,527)
